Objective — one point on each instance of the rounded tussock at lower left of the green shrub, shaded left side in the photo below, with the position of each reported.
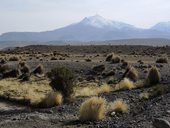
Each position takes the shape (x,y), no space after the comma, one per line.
(52,99)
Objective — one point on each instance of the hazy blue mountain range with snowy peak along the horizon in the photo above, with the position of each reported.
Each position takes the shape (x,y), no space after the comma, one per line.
(94,28)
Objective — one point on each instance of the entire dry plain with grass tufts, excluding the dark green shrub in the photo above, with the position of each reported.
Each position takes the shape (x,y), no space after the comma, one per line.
(129,87)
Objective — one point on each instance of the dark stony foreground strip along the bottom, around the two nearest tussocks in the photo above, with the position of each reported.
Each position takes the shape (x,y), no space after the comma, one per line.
(141,115)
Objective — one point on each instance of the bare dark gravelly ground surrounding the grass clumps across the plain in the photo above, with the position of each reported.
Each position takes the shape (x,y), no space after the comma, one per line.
(142,112)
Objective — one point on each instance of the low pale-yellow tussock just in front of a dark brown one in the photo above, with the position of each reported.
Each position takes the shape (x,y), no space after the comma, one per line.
(125,84)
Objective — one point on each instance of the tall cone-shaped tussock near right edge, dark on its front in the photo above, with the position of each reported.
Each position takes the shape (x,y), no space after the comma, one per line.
(153,76)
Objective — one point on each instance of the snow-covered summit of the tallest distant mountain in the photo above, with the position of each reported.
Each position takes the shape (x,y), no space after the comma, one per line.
(100,22)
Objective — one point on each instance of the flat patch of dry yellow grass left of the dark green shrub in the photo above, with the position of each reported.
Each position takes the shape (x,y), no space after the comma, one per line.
(31,92)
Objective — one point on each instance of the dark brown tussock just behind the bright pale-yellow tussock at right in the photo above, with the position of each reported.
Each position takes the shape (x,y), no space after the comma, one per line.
(131,73)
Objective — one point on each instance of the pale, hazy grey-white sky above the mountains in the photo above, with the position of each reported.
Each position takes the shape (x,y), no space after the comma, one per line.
(43,15)
